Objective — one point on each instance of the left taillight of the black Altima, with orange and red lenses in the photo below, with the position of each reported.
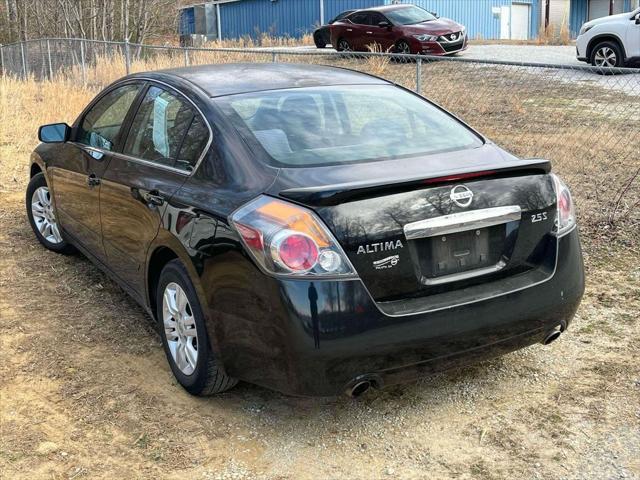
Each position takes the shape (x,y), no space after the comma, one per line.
(286,239)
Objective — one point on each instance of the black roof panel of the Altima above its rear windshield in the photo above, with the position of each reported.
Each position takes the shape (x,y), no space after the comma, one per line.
(235,78)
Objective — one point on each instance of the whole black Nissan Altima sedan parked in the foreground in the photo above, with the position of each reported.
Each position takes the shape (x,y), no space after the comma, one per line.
(310,229)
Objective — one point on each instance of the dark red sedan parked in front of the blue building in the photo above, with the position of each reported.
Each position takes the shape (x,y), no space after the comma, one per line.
(400,29)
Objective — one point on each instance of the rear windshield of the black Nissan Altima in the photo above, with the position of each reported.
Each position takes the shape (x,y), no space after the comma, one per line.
(306,127)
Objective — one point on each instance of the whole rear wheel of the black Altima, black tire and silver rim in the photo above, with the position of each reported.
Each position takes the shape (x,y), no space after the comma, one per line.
(183,331)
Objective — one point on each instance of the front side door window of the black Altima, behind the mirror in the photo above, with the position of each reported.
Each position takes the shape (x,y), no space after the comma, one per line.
(101,125)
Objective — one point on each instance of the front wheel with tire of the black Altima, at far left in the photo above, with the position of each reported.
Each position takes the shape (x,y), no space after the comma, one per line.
(42,217)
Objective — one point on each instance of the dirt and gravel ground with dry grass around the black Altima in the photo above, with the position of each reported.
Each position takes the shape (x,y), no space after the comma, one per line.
(86,392)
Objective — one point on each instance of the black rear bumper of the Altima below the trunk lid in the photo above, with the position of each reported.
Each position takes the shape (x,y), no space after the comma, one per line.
(317,338)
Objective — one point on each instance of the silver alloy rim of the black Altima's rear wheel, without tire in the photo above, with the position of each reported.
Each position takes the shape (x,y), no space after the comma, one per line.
(180,328)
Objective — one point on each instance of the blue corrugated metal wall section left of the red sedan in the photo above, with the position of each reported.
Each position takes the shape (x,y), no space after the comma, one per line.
(283,17)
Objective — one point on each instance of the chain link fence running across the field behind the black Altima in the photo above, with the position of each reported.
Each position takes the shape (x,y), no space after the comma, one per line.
(585,119)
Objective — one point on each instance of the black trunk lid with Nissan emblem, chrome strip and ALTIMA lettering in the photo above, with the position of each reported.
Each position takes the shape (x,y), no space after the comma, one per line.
(429,234)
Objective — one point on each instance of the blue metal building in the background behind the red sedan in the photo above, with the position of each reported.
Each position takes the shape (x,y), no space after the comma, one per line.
(486,19)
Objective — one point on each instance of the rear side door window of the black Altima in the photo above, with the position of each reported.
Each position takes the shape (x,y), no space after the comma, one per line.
(159,128)
